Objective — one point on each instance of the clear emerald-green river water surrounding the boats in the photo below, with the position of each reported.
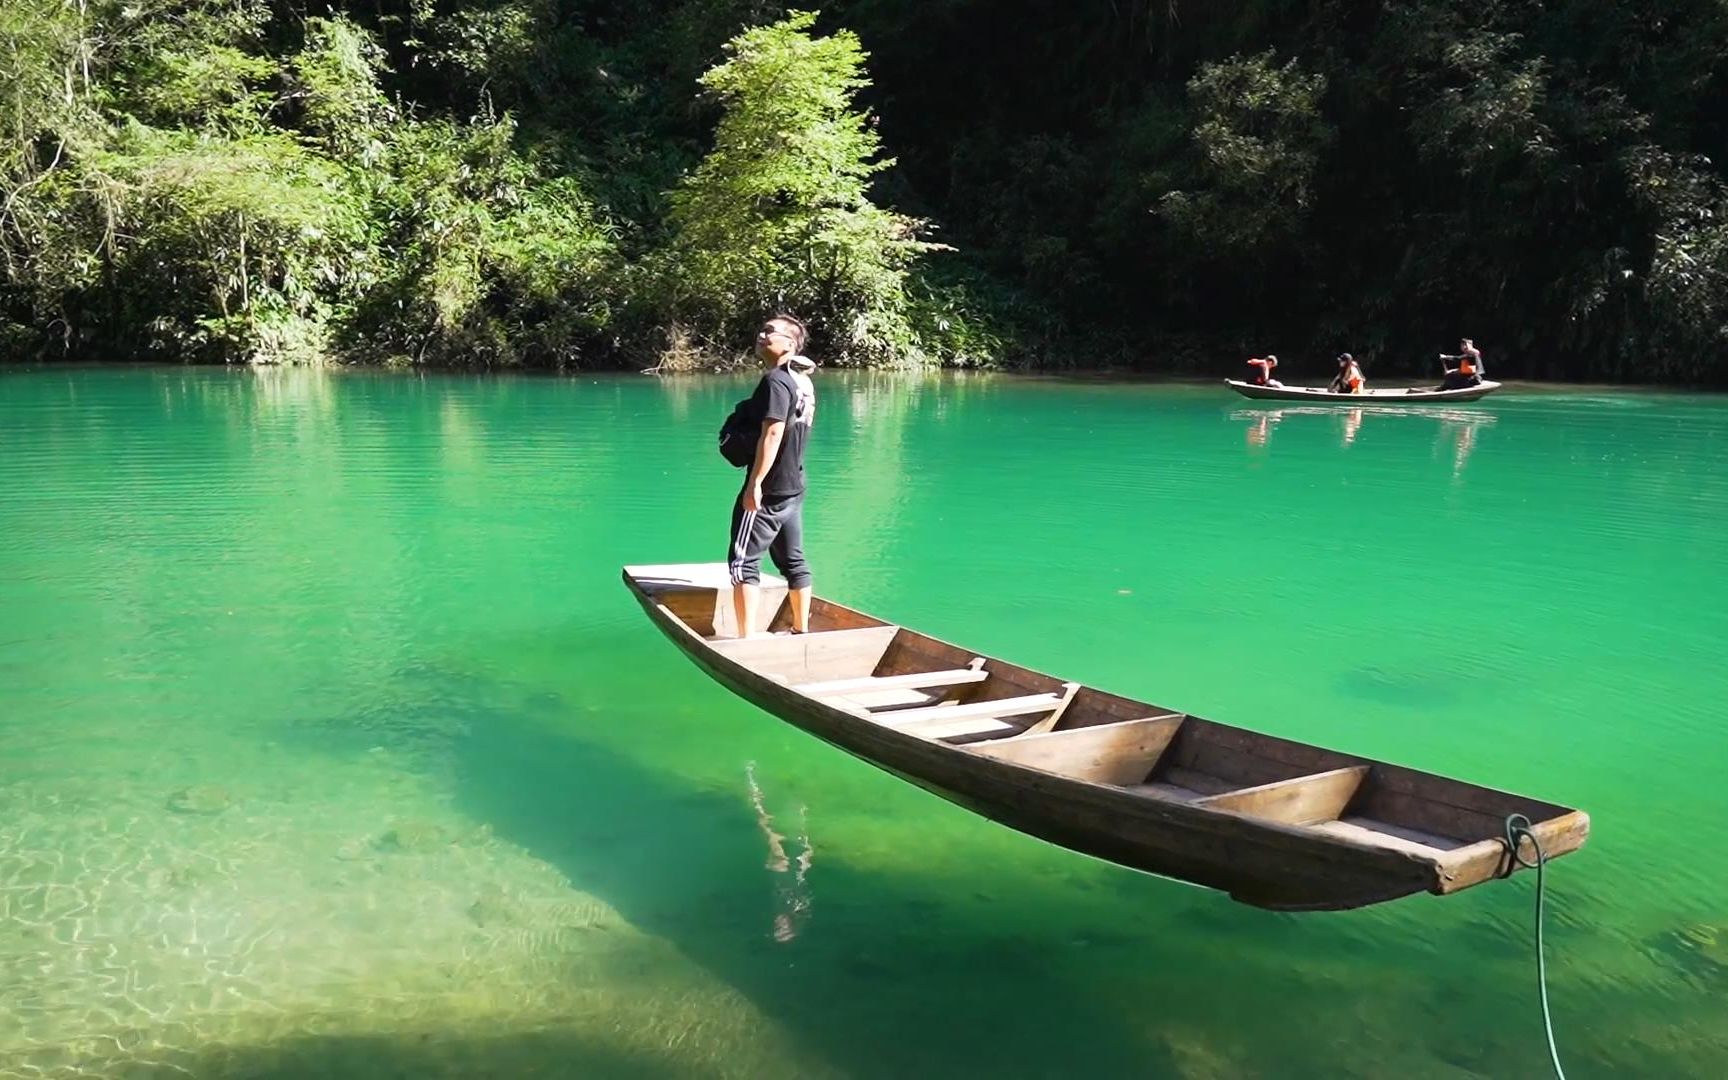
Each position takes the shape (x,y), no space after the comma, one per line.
(331,744)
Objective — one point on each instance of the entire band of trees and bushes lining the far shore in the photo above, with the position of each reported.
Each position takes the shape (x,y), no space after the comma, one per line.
(599,186)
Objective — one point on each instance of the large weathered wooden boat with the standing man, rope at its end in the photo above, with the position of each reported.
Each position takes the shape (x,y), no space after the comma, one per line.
(1274,823)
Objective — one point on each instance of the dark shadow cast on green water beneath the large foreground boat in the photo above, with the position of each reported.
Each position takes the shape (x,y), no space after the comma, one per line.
(963,965)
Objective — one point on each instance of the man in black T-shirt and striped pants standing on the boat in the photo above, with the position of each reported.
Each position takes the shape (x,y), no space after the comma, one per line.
(768,514)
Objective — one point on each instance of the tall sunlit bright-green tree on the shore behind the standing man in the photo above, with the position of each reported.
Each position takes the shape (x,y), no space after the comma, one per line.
(777,215)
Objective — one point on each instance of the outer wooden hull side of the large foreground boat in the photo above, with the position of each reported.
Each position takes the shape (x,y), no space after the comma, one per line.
(1257,861)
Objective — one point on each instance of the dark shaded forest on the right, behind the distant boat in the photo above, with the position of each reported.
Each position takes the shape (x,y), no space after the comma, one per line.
(1312,177)
